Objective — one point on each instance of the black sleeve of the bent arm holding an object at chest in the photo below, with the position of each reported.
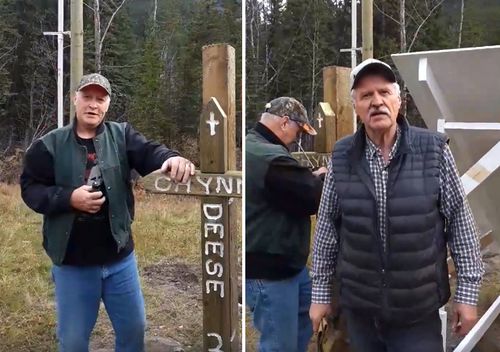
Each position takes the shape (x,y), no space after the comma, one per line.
(38,188)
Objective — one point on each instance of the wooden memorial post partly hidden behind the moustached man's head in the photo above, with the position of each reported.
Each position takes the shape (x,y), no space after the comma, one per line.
(334,118)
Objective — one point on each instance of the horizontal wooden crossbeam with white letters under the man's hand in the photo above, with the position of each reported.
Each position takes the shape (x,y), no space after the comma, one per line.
(228,184)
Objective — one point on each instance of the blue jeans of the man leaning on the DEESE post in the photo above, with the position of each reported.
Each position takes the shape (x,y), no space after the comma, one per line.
(79,291)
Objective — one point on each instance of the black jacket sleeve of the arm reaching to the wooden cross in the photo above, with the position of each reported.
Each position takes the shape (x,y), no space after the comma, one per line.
(143,155)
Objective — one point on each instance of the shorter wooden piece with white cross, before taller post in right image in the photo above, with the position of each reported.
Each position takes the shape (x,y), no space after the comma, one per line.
(325,125)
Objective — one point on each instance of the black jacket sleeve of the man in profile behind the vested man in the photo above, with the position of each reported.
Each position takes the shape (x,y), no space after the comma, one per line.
(293,187)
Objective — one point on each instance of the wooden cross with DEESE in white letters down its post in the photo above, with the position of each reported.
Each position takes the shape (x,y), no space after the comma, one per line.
(217,185)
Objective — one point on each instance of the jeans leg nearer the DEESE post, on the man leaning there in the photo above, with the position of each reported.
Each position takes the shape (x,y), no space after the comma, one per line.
(124,303)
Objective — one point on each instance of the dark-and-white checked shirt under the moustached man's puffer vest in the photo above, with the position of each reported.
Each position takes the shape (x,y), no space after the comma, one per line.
(463,240)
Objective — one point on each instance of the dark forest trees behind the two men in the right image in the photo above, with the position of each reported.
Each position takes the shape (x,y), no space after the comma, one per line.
(289,42)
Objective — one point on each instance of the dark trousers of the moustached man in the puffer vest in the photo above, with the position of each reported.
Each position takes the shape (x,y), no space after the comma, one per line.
(370,335)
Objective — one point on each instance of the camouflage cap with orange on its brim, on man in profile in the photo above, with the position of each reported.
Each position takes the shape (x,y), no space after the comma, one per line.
(286,106)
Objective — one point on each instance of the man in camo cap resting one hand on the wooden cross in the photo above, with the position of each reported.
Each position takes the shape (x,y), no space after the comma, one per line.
(78,176)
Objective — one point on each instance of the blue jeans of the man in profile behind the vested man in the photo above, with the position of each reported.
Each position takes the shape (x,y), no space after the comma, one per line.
(280,311)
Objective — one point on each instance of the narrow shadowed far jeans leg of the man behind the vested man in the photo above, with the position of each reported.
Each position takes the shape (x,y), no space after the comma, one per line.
(305,326)
